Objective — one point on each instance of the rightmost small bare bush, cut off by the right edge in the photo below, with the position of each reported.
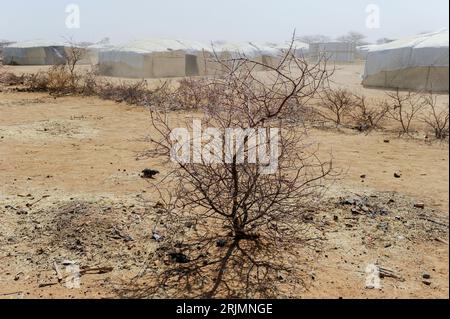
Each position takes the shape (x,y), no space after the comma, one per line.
(437,120)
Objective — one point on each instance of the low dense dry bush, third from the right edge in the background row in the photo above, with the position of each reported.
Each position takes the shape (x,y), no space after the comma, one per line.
(367,115)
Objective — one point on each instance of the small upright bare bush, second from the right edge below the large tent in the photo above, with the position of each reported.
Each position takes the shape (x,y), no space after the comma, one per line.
(403,108)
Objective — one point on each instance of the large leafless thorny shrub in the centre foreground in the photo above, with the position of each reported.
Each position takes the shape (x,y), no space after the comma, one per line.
(228,229)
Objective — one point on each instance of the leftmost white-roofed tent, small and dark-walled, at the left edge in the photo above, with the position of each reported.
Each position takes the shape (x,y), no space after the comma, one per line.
(37,52)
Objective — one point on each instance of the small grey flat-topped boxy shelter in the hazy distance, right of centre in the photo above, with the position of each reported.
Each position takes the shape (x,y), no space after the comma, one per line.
(333,51)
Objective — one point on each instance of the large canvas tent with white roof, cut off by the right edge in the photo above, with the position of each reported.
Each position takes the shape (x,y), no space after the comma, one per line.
(414,63)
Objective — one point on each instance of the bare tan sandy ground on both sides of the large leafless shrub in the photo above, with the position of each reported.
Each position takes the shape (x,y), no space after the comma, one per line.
(57,152)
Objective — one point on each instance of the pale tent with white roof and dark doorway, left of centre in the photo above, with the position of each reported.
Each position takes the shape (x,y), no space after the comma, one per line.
(154,58)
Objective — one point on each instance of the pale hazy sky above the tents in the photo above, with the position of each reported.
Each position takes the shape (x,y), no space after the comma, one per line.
(204,20)
